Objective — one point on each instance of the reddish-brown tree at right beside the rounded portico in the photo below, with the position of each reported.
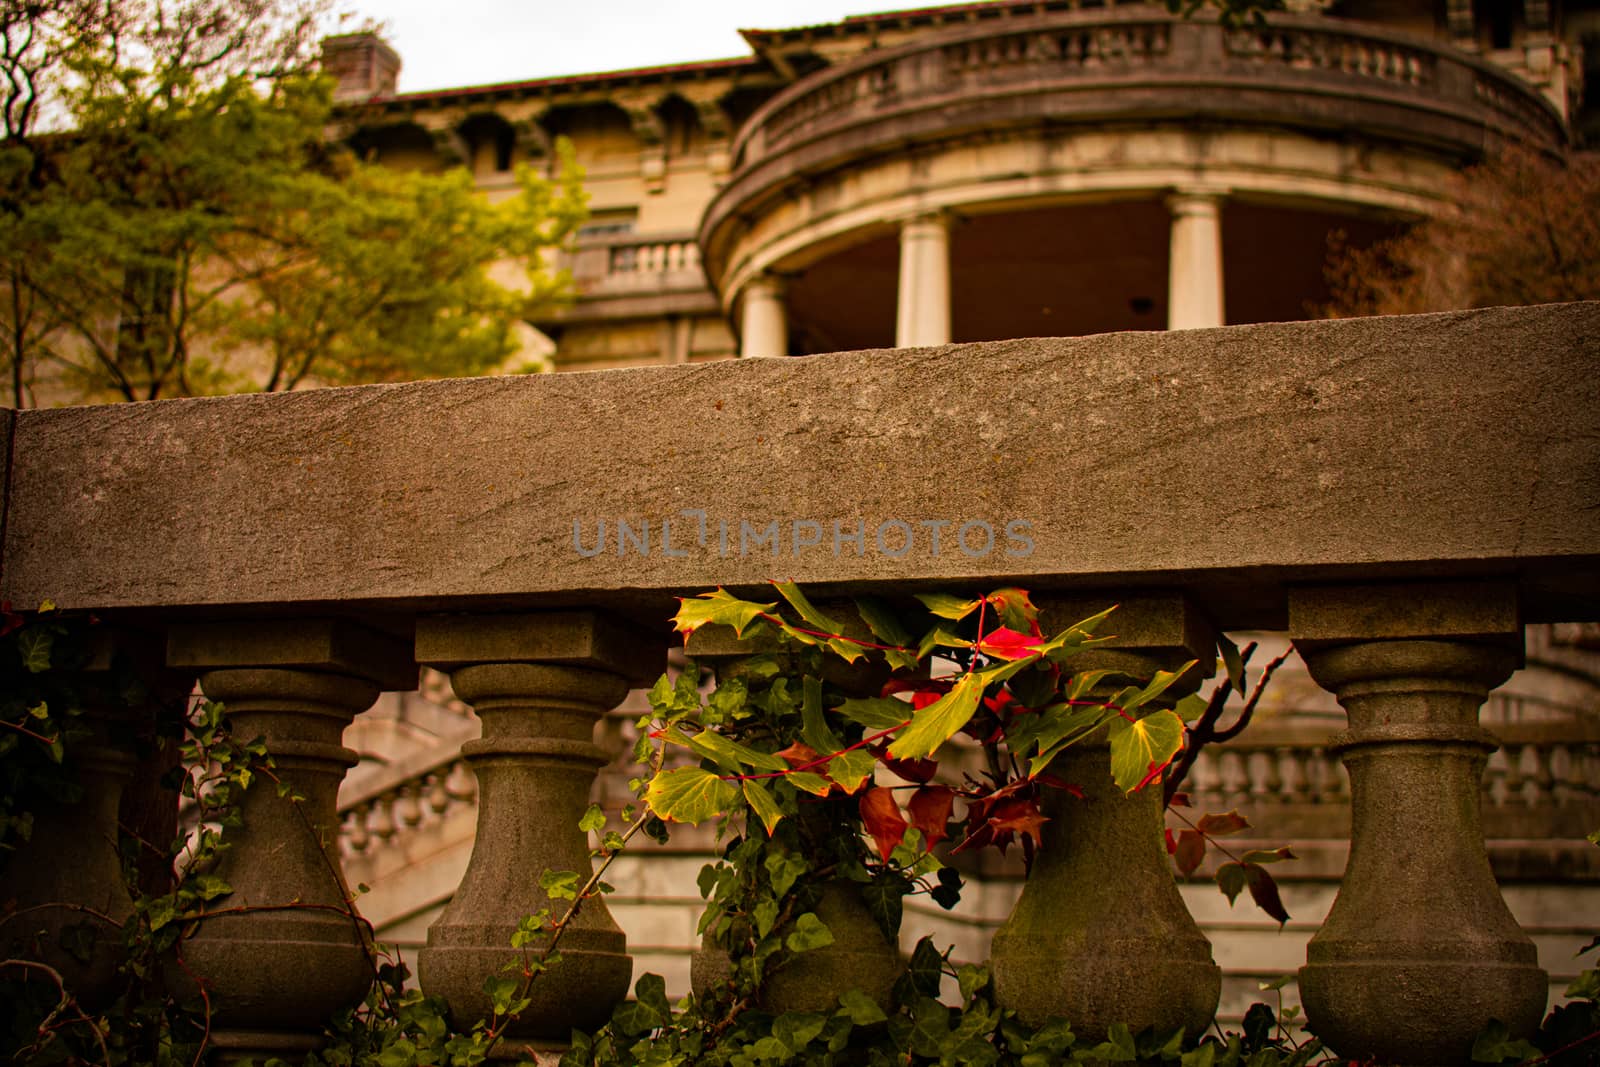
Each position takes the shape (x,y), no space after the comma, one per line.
(1526,230)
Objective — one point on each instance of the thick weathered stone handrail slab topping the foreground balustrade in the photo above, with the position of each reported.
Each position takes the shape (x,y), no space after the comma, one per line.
(1228,462)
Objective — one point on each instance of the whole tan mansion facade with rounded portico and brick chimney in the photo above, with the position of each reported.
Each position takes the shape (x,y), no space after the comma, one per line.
(996,170)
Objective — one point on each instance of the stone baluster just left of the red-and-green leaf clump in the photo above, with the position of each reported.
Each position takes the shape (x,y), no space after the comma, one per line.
(538,684)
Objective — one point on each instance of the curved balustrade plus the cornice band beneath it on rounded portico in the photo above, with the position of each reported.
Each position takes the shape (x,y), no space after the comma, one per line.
(1121,68)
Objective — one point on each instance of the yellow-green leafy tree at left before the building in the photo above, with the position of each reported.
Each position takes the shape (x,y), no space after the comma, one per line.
(188,230)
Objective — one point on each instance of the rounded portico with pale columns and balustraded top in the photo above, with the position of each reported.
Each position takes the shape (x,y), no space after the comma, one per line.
(1090,170)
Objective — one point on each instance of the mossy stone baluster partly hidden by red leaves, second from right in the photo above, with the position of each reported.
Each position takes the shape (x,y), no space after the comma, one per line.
(1102,933)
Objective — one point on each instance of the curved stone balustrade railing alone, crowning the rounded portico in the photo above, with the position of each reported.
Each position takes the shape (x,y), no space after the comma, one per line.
(1154,65)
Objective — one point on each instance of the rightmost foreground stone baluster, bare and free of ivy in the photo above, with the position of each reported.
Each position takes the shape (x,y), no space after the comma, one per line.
(1420,949)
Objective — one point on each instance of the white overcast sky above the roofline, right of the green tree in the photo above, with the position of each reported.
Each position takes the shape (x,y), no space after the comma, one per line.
(447,44)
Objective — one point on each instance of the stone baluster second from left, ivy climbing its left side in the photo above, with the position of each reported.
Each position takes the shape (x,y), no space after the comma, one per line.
(276,977)
